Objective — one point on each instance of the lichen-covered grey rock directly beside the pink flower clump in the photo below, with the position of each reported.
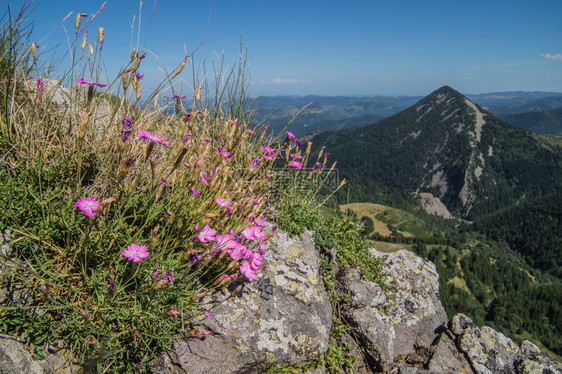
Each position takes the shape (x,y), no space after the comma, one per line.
(283,317)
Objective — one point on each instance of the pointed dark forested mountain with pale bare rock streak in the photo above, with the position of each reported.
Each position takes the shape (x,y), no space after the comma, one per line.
(447,147)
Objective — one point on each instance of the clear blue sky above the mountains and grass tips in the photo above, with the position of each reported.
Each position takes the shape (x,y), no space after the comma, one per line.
(376,47)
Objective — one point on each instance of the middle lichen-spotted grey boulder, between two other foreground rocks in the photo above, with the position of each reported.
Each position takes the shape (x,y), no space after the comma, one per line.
(402,329)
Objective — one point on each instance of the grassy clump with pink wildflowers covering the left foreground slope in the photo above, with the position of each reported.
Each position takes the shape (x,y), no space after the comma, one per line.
(124,215)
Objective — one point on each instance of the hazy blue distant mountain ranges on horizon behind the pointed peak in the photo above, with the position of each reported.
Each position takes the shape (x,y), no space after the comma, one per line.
(336,112)
